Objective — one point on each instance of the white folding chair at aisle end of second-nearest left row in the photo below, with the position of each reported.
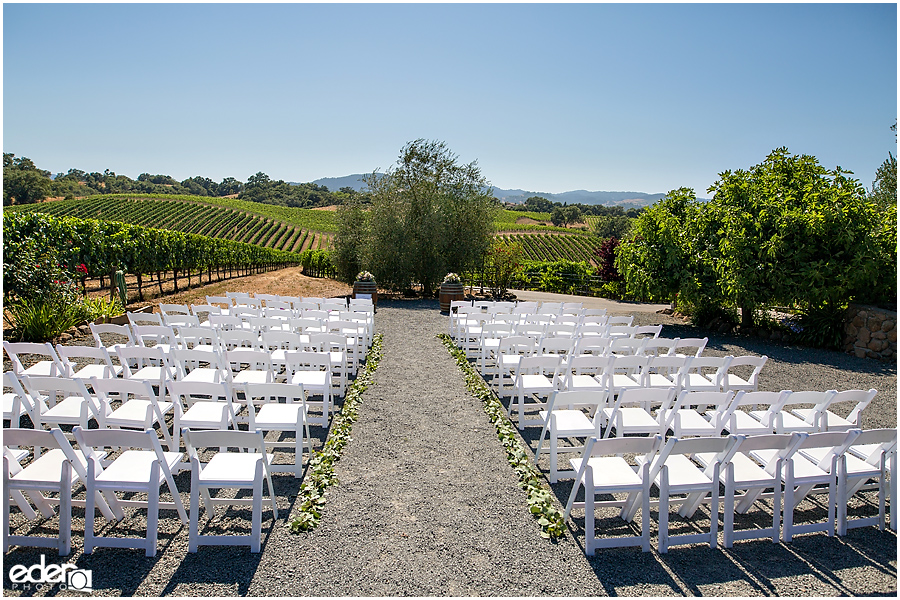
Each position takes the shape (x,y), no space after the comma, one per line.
(268,413)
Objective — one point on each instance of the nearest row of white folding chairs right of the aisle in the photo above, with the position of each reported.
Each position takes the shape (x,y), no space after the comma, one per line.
(695,467)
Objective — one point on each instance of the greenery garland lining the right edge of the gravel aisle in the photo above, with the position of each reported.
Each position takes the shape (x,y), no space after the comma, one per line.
(530,479)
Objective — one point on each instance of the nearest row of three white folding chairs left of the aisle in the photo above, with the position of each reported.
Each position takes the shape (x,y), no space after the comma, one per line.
(141,466)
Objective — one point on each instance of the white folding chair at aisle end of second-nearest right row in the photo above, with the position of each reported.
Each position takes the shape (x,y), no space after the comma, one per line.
(565,419)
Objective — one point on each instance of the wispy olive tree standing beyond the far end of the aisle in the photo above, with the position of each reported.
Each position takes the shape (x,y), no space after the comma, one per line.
(428,215)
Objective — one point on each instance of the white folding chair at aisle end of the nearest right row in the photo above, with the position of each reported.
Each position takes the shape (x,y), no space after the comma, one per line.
(603,469)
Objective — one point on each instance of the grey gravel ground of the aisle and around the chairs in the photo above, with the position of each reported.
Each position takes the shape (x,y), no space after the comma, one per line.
(428,506)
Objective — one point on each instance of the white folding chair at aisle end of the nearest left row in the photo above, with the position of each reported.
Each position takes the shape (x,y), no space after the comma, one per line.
(236,470)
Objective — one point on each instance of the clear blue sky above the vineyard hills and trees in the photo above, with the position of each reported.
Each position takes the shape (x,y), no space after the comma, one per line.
(545,97)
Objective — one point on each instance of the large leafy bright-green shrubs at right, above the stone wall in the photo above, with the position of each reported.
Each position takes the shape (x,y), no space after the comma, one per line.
(785,232)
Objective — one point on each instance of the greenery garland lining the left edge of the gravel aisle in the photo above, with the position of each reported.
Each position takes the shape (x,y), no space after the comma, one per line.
(320,471)
